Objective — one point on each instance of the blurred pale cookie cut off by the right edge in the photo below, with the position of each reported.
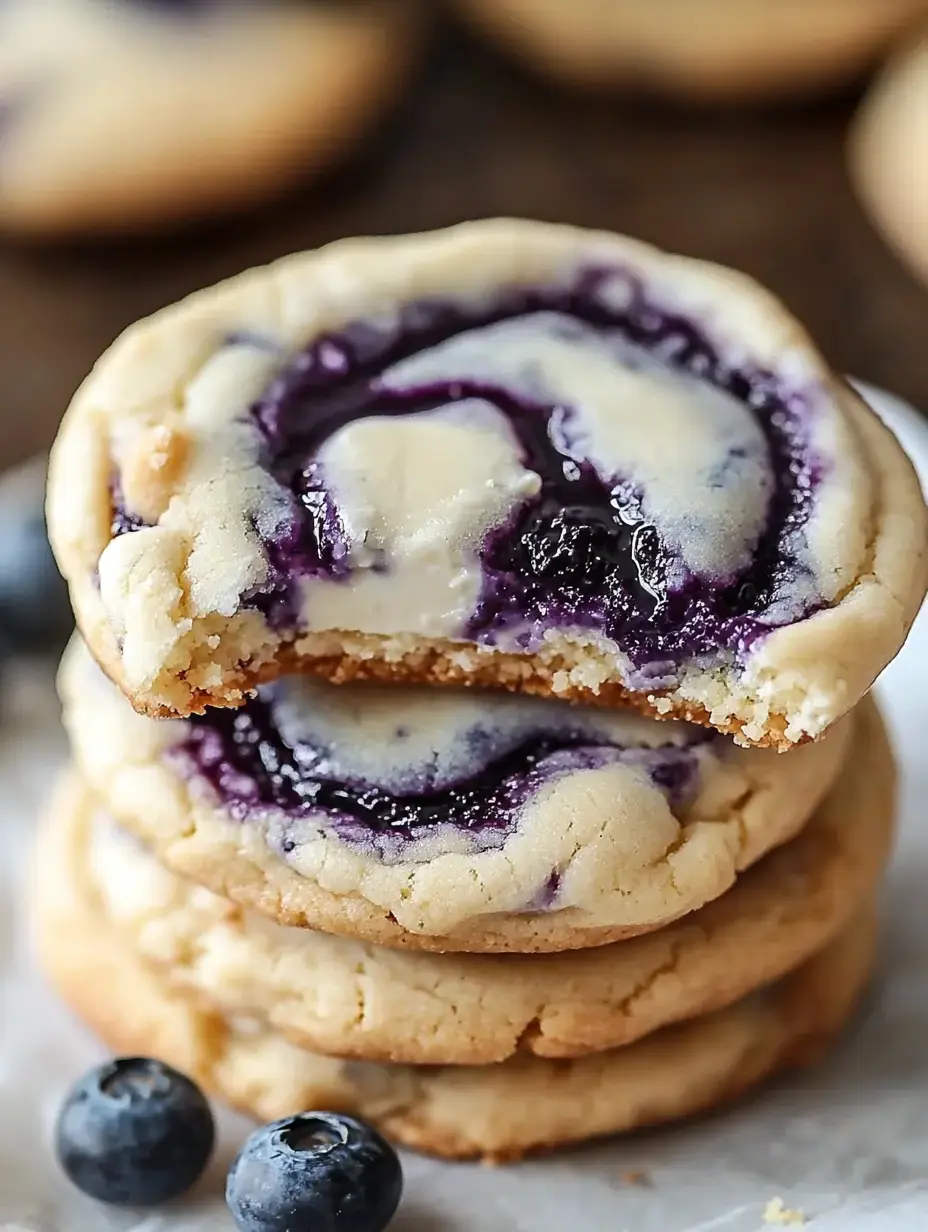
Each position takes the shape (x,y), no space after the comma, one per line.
(889,156)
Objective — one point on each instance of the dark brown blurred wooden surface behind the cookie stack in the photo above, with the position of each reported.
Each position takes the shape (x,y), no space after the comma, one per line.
(767,193)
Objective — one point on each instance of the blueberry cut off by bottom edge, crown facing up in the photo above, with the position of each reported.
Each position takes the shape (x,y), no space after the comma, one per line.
(315,1173)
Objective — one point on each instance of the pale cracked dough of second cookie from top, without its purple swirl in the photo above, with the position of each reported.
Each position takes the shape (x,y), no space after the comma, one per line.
(595,857)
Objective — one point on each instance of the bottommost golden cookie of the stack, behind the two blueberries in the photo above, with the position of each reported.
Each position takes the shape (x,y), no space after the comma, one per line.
(495,1112)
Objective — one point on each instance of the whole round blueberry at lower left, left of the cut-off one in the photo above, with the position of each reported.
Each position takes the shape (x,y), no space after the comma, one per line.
(135,1133)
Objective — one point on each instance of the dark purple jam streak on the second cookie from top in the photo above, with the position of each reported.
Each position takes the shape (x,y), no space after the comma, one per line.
(251,766)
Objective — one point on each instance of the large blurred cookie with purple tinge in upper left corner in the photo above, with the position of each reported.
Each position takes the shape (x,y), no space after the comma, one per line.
(123,116)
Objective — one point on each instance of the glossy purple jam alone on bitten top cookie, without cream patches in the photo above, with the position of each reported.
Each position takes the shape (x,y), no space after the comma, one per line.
(581,553)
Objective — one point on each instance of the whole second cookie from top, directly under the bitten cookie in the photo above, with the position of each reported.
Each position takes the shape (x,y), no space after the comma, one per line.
(443,820)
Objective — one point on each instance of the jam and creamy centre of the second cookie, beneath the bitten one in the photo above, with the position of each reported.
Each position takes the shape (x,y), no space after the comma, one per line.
(388,768)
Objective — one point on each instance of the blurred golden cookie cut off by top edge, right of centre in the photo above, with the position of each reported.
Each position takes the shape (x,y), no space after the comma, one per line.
(709,51)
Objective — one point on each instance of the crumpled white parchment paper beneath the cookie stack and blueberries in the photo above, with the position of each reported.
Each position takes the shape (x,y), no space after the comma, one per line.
(847,1144)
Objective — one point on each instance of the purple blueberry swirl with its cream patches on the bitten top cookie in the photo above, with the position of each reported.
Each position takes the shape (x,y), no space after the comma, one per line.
(648,490)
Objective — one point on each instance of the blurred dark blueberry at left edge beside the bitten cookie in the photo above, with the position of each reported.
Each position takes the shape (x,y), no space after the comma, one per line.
(35,614)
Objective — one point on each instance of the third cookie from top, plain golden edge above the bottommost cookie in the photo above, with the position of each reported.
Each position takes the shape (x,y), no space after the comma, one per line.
(349,1000)
